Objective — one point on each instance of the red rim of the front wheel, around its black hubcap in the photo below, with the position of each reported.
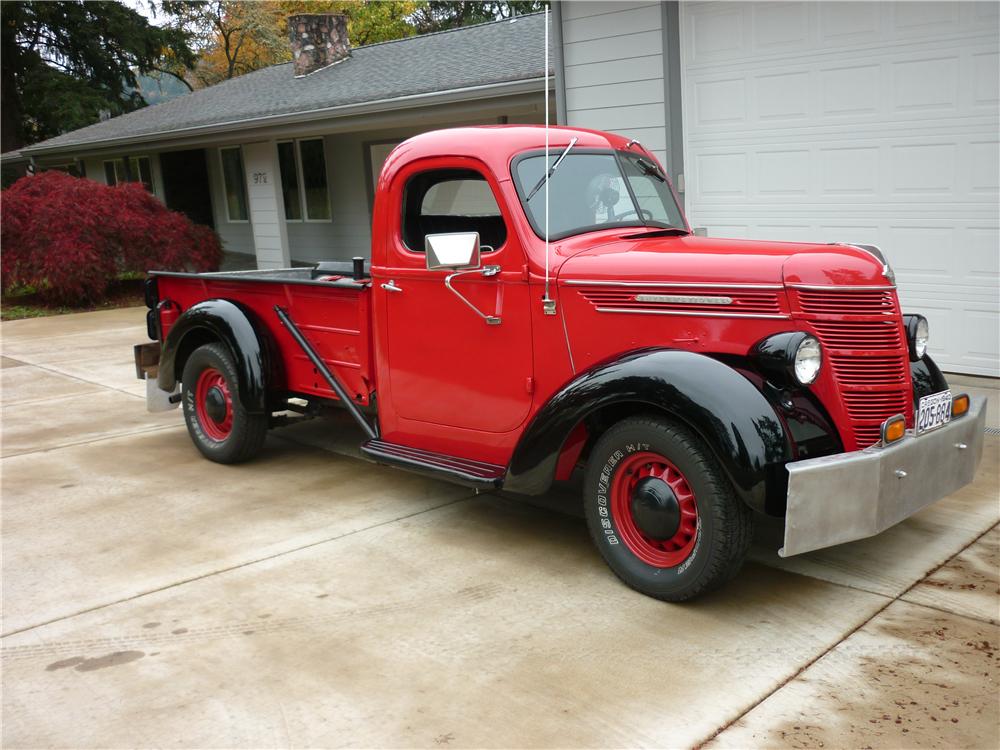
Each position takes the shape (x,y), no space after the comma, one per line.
(660,553)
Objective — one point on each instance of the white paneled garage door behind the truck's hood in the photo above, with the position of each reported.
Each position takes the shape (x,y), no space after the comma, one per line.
(864,122)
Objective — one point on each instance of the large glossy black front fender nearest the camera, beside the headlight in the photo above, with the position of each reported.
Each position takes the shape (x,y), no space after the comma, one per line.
(720,405)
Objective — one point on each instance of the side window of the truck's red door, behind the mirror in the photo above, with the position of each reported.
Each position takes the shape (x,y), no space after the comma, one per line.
(451,200)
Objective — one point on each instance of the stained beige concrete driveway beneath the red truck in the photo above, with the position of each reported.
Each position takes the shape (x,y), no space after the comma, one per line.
(152,598)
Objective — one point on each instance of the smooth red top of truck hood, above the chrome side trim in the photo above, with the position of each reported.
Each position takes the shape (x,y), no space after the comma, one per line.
(710,260)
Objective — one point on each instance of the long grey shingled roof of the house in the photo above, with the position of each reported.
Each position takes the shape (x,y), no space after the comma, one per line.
(475,61)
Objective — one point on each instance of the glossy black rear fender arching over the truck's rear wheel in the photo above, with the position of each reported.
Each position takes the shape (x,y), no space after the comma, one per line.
(235,327)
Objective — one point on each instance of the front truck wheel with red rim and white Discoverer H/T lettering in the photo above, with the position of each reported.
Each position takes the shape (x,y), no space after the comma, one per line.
(662,512)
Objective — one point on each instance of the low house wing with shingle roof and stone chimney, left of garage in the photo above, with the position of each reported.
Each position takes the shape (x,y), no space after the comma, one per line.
(282,161)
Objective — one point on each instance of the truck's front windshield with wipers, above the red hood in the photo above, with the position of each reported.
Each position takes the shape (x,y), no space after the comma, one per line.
(594,190)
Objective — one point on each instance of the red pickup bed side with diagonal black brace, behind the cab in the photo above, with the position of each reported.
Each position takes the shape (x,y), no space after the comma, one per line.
(332,309)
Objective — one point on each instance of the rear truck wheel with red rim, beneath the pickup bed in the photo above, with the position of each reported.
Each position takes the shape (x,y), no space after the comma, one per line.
(217,422)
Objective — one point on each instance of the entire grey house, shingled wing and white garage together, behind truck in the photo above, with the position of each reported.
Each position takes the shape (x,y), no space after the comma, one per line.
(872,122)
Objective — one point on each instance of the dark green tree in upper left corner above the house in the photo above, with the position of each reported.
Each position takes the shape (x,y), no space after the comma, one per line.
(65,63)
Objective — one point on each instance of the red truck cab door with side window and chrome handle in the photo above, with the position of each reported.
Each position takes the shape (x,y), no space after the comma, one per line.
(449,364)
